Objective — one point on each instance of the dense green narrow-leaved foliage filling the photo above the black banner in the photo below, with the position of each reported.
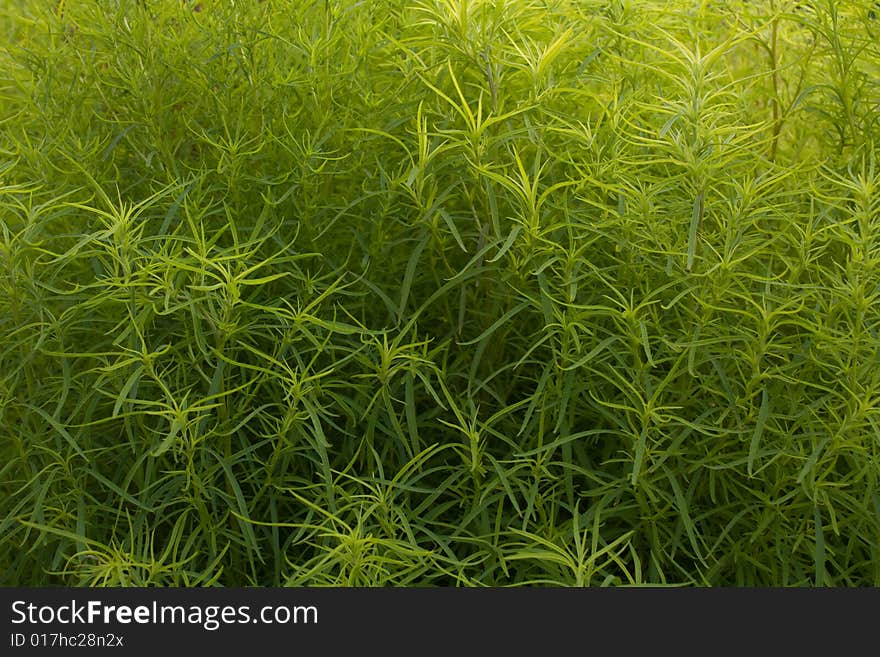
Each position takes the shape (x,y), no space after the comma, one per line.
(440,292)
